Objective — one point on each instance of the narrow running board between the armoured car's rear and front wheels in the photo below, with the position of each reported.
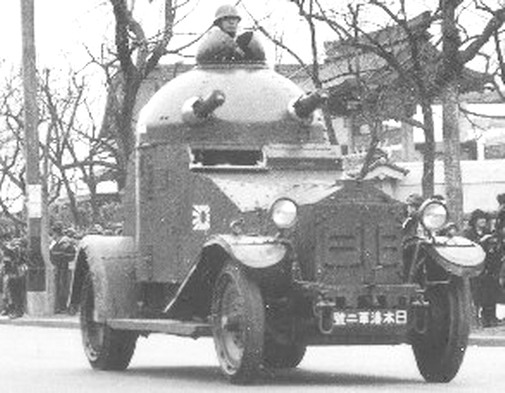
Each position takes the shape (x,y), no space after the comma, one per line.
(167,326)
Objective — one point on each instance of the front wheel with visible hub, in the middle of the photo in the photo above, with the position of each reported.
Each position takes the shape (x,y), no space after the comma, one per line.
(238,324)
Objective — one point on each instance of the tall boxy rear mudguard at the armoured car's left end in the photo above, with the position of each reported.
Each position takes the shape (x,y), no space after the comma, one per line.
(111,261)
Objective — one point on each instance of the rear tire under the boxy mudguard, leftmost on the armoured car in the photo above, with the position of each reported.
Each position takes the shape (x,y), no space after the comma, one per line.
(105,348)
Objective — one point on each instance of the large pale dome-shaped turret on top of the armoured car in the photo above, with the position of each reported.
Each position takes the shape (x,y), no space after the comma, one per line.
(246,102)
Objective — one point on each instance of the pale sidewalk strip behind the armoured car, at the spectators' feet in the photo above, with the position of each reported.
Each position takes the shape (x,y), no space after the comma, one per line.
(489,337)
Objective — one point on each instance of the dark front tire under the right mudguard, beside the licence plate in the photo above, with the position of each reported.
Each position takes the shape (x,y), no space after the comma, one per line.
(440,351)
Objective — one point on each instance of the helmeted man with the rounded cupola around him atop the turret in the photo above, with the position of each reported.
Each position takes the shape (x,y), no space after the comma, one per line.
(222,43)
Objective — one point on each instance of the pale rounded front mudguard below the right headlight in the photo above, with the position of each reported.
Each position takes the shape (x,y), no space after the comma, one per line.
(458,255)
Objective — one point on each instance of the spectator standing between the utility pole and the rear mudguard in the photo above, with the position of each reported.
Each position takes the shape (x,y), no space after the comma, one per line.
(62,251)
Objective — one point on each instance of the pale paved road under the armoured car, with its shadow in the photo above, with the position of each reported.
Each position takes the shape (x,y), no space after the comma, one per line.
(39,360)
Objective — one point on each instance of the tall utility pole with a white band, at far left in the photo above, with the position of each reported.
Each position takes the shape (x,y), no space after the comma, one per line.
(36,278)
